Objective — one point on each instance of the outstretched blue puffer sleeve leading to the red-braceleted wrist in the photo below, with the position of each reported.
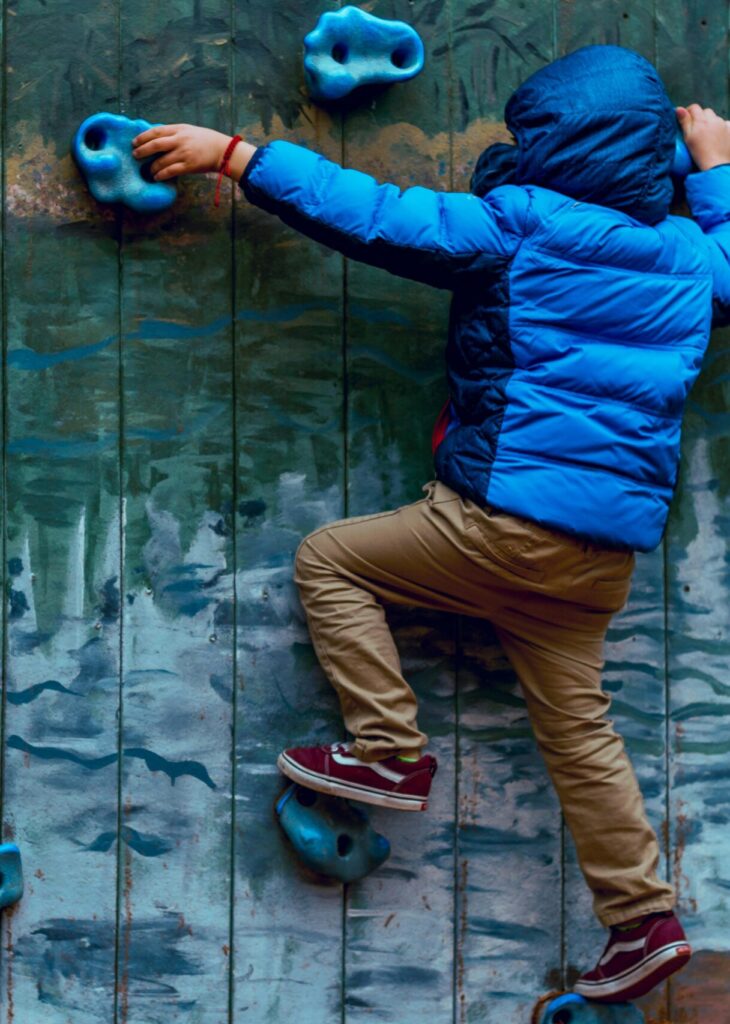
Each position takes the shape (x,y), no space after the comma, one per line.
(433,237)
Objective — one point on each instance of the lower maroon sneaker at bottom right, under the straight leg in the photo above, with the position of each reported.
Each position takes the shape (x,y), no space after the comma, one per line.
(636,961)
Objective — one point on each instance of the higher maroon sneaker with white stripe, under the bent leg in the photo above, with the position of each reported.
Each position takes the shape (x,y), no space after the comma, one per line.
(401,785)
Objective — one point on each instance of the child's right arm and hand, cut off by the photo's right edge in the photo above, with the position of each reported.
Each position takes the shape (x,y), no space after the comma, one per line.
(708,138)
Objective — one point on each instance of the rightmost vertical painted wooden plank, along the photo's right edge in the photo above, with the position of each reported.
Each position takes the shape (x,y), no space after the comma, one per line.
(693,52)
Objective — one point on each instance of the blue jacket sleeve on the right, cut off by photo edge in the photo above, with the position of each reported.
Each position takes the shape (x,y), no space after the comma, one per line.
(709,198)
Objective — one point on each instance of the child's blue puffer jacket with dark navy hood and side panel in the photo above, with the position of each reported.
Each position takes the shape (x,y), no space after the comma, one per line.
(581,310)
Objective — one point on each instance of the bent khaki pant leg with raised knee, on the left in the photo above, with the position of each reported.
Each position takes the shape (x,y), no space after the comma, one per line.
(415,557)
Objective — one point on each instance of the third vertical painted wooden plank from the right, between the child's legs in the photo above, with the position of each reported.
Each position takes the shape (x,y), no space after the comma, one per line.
(509,852)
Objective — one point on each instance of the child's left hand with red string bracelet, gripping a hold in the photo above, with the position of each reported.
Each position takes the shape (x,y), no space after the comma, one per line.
(188,150)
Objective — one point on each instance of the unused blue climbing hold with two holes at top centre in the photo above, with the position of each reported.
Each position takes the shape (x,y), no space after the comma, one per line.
(350,49)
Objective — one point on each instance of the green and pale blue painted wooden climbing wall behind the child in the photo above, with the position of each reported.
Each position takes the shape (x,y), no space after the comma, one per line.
(184,399)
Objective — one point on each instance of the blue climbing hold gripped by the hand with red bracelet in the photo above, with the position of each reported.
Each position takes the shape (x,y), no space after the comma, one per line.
(103,148)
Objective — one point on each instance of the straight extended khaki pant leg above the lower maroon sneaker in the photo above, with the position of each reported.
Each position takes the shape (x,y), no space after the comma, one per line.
(561,673)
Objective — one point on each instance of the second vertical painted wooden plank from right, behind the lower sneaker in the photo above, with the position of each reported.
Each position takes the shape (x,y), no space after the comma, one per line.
(635,671)
